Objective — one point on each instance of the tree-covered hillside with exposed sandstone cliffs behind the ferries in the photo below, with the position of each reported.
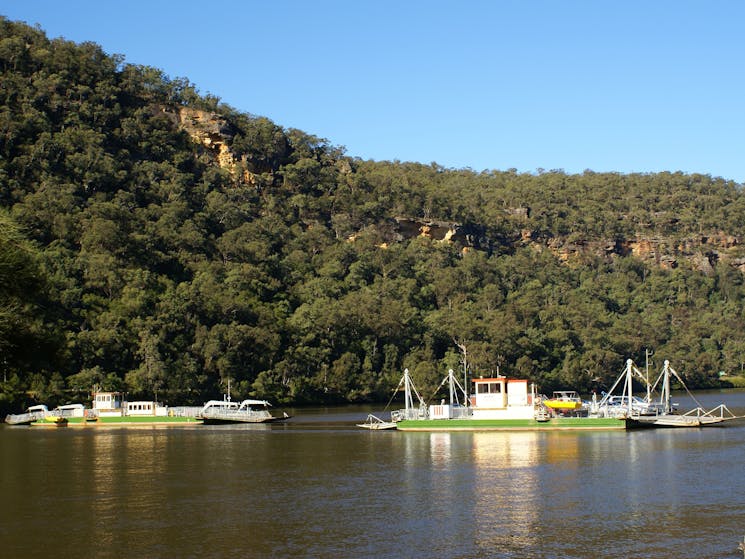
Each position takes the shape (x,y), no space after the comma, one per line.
(157,241)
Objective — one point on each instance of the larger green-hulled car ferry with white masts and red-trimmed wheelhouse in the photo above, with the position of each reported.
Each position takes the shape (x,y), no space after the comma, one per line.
(502,403)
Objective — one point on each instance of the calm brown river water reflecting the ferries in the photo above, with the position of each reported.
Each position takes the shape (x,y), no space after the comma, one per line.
(317,487)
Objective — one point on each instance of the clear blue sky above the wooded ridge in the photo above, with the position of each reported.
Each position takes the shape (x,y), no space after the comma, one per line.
(627,86)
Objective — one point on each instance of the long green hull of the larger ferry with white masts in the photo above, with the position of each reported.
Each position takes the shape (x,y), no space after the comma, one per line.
(552,424)
